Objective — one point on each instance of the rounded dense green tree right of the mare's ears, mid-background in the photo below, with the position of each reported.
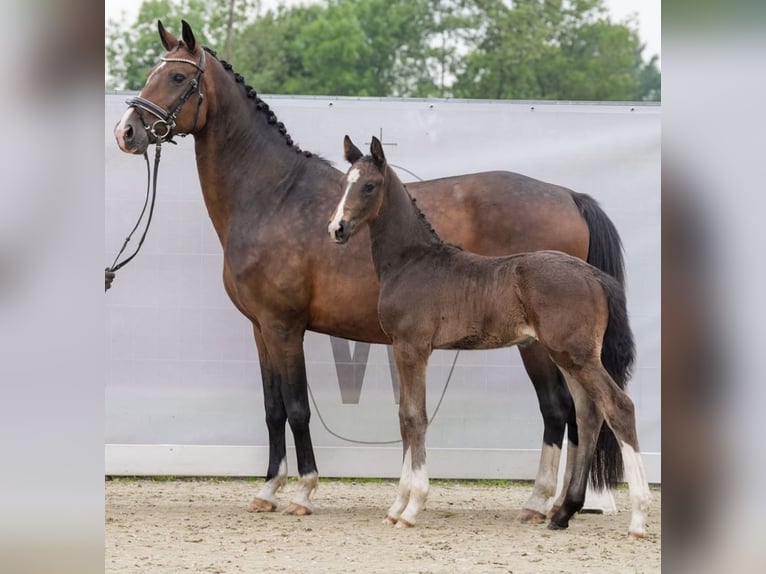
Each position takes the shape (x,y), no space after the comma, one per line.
(342,47)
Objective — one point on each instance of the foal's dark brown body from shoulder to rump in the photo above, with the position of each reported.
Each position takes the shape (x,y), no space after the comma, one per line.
(459,300)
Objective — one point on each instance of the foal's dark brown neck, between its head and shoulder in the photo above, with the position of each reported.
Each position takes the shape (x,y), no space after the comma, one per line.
(398,228)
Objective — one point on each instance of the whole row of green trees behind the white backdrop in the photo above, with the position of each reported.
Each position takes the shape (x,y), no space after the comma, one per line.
(498,49)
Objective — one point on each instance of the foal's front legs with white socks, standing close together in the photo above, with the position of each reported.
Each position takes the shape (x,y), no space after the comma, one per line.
(413,422)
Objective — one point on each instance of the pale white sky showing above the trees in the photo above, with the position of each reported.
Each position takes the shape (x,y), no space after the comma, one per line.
(648,13)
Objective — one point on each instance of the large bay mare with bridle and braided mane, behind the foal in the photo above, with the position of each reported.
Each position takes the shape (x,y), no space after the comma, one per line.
(268,200)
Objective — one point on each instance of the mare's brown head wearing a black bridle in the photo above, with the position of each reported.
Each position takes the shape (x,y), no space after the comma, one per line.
(172,100)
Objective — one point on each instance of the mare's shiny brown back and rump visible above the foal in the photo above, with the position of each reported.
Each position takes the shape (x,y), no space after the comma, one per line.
(500,212)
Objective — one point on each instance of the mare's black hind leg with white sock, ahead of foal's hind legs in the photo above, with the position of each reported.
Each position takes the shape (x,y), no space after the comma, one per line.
(555,406)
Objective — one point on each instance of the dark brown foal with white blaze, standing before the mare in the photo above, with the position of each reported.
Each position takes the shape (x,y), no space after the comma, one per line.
(436,296)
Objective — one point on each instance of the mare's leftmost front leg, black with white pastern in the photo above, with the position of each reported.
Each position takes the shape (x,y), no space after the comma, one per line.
(276,417)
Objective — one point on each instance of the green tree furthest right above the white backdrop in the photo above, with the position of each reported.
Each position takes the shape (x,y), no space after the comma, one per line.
(553,49)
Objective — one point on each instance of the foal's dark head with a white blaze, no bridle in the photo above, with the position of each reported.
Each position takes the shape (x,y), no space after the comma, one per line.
(364,187)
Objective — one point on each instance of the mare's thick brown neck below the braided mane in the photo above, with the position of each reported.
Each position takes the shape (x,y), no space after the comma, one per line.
(242,160)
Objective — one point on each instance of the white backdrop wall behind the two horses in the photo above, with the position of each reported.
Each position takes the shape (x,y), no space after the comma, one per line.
(183,390)
